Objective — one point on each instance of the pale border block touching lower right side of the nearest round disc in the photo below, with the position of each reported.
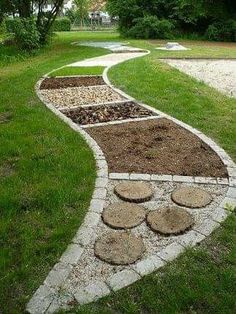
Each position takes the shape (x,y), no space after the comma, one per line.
(148,265)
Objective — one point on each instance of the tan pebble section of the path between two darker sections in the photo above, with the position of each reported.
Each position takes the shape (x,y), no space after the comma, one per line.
(78,96)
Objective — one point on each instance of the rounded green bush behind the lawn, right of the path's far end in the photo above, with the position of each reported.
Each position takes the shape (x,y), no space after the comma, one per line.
(151,27)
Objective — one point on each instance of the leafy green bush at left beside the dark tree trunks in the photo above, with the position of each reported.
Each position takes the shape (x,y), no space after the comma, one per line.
(26,34)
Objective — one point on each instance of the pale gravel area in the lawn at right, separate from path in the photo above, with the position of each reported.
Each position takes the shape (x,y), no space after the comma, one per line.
(220,74)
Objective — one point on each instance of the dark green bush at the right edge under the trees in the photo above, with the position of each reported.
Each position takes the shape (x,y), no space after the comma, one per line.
(222,31)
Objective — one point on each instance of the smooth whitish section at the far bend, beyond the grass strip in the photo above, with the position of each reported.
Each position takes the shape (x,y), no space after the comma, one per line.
(108,60)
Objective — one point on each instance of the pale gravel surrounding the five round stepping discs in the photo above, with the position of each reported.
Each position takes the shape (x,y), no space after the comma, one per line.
(90,268)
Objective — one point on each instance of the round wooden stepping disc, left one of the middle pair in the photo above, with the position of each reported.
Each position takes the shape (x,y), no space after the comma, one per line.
(124,215)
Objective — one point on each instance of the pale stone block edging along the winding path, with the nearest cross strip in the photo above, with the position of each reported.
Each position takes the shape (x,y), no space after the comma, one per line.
(48,299)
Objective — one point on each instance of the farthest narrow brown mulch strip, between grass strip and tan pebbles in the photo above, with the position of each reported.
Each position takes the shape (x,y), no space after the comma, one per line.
(65,82)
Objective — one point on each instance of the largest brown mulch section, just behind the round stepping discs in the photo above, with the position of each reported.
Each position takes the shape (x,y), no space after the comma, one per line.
(156,146)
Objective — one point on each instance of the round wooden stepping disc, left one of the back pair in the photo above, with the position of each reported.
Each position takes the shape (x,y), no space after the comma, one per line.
(136,192)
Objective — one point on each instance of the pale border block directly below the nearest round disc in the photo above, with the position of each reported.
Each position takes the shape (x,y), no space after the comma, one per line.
(122,279)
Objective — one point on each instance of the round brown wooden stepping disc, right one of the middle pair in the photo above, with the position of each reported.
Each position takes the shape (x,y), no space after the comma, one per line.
(169,221)
